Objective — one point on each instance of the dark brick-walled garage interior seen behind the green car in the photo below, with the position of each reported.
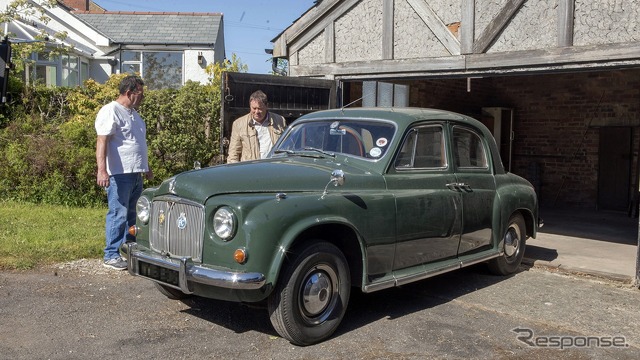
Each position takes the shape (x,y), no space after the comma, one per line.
(575,136)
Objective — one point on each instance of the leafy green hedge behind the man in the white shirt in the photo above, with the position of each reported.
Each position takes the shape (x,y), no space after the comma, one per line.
(47,137)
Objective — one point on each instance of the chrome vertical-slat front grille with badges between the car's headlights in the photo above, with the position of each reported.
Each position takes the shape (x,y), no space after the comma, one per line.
(177,228)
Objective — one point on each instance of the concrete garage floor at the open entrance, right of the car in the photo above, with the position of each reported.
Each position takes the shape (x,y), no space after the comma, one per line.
(596,243)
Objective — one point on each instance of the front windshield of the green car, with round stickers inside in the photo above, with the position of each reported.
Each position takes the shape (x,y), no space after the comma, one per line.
(362,138)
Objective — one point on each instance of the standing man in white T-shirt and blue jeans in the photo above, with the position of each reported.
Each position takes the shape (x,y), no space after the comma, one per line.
(121,156)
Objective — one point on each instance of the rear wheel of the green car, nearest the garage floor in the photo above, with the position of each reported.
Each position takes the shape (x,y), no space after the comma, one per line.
(513,245)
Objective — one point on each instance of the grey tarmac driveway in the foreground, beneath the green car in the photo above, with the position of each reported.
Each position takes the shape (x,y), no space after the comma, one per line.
(80,310)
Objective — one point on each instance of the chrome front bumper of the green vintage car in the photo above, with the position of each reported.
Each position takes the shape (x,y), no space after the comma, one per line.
(187,272)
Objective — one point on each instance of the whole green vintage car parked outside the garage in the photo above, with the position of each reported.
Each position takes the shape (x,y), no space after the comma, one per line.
(351,198)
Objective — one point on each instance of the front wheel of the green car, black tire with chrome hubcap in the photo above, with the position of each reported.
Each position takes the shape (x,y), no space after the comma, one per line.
(311,296)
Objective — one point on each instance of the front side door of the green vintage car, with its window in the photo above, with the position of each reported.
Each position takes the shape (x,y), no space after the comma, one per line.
(428,212)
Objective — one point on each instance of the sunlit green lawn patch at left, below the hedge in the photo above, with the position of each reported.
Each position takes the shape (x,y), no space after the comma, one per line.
(34,234)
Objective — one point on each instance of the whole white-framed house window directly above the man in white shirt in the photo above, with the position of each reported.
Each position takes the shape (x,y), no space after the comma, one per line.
(159,69)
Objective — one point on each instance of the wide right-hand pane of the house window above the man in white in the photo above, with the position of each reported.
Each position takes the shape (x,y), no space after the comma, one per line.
(162,69)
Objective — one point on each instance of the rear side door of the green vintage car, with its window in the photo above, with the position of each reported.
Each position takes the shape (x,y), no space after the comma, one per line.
(476,183)
